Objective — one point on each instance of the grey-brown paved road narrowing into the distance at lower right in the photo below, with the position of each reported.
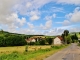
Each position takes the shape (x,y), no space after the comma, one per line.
(70,53)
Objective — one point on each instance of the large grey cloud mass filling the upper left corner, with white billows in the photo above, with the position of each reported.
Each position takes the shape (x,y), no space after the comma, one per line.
(9,17)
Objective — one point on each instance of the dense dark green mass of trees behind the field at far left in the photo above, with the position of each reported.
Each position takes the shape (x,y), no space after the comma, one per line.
(7,39)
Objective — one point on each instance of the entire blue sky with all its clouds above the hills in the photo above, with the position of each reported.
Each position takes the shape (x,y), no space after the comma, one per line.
(40,17)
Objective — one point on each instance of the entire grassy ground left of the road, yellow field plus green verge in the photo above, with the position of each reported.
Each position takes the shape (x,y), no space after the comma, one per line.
(40,54)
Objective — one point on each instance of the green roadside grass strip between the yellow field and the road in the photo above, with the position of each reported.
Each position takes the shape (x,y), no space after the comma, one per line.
(32,55)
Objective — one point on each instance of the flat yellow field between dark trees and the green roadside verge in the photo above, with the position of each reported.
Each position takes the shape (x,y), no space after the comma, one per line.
(21,49)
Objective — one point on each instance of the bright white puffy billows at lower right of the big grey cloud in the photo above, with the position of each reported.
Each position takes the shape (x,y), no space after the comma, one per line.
(13,19)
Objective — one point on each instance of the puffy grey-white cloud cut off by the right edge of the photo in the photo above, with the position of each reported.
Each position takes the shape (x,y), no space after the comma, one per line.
(75,16)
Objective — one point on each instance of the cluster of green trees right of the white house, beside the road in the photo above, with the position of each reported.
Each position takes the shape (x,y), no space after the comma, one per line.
(69,38)
